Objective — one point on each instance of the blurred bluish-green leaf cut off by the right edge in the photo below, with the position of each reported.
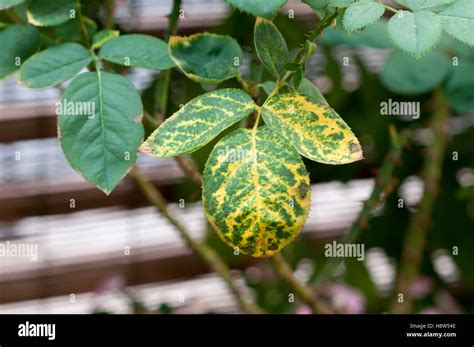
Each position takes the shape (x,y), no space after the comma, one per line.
(460,88)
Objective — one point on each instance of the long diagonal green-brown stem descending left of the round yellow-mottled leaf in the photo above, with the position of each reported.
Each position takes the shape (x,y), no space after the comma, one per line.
(207,254)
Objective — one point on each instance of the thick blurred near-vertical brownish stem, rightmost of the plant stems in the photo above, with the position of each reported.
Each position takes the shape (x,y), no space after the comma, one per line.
(415,239)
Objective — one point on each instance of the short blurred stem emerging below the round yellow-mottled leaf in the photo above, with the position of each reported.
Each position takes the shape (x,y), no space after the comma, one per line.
(283,271)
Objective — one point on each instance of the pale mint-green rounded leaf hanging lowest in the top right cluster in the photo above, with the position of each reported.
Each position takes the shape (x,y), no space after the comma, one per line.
(415,33)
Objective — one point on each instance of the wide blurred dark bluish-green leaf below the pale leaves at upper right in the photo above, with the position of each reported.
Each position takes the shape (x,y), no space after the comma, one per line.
(404,74)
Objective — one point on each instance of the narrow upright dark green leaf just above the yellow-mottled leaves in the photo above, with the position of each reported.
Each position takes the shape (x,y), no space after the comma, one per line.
(271,47)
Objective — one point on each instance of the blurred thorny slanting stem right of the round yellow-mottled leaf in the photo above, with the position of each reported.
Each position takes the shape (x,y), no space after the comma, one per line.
(384,185)
